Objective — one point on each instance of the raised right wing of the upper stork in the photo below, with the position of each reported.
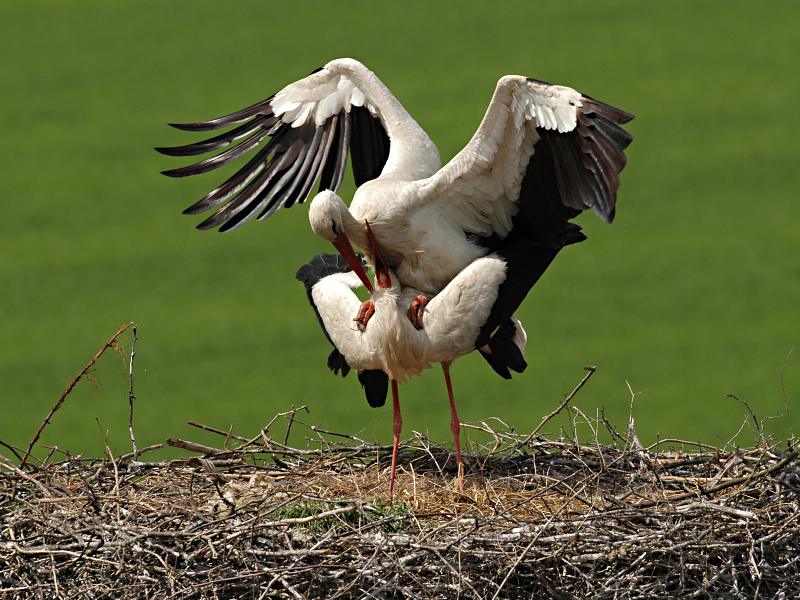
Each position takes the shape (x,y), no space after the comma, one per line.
(534,138)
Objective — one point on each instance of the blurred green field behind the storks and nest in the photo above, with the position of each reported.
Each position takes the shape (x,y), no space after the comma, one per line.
(692,294)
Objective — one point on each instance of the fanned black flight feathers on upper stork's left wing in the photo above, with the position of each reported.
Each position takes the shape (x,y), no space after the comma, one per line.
(279,174)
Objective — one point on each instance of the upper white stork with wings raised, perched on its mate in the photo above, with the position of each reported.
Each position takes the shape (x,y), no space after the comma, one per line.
(536,140)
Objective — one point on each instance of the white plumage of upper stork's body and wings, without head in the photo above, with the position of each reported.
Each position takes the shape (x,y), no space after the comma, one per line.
(420,212)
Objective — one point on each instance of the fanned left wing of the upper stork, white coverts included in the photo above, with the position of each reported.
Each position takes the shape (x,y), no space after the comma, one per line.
(295,138)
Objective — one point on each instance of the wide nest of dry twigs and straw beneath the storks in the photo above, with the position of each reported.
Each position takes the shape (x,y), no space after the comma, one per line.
(537,518)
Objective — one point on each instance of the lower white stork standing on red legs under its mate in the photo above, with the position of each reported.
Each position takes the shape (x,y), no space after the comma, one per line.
(473,311)
